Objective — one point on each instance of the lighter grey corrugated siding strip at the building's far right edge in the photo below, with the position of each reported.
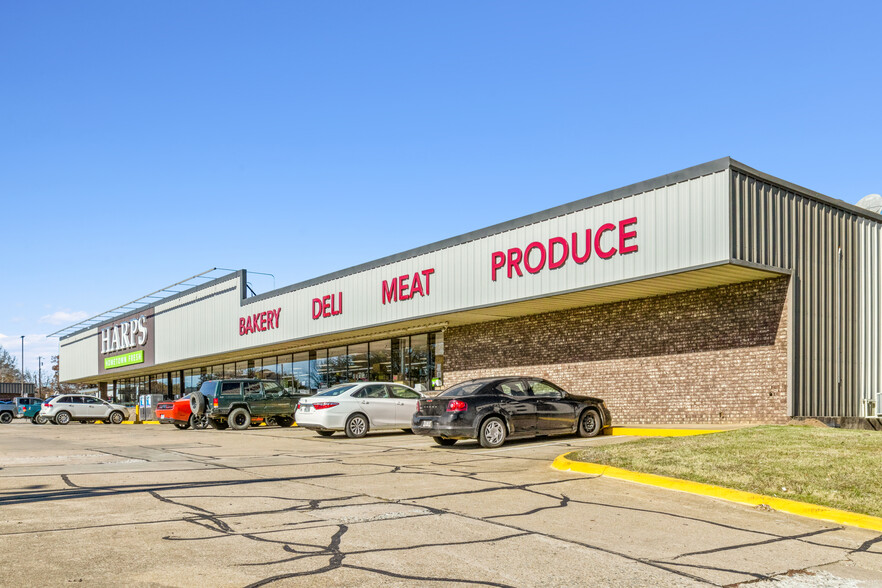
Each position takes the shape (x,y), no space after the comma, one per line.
(870,312)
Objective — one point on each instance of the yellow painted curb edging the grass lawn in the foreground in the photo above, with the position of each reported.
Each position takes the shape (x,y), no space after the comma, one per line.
(804,509)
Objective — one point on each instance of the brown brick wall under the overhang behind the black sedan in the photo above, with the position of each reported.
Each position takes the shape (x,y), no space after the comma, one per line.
(717,355)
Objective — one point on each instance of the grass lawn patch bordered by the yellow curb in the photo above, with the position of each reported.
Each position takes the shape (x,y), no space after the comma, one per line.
(830,467)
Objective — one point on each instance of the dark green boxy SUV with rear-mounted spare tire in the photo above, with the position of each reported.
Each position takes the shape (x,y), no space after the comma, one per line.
(234,403)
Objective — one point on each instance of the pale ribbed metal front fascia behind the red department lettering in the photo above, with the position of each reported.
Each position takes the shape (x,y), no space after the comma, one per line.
(680,226)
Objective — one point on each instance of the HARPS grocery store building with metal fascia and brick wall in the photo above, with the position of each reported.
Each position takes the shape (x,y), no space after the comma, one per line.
(716,294)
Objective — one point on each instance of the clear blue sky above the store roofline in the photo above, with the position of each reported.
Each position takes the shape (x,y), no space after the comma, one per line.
(143,142)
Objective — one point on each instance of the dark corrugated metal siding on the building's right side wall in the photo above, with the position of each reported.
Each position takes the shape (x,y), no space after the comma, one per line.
(819,244)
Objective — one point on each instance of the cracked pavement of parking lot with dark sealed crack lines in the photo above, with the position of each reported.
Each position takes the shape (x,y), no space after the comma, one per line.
(151,505)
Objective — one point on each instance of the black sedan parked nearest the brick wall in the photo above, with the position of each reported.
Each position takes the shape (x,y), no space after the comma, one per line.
(492,410)
